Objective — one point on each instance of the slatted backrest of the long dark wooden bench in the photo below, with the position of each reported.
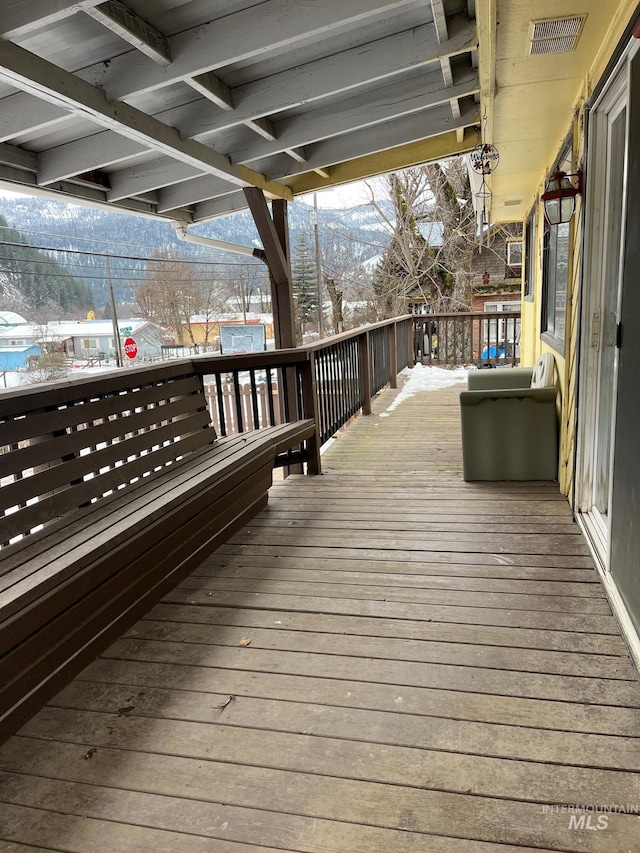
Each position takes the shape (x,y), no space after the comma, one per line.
(66,445)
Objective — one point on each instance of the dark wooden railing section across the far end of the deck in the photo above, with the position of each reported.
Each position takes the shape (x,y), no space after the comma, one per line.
(466,338)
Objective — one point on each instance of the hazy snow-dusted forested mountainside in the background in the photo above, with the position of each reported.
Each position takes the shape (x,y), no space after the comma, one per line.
(93,244)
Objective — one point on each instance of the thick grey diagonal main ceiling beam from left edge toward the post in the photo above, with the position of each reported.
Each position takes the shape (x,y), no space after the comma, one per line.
(54,85)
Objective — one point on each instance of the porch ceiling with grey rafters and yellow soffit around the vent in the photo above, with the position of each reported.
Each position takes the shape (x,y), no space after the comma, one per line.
(171,108)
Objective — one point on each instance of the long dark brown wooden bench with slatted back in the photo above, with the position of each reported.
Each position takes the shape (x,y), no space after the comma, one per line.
(112,490)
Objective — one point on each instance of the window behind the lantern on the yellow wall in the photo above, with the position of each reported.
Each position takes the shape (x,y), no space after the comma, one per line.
(555,272)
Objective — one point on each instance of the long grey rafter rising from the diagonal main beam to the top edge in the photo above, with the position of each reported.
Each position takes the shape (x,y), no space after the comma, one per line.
(244,35)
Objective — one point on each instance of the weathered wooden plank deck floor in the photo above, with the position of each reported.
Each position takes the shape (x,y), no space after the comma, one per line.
(387,660)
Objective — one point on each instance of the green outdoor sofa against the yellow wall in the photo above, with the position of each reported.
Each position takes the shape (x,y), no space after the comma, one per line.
(510,423)
